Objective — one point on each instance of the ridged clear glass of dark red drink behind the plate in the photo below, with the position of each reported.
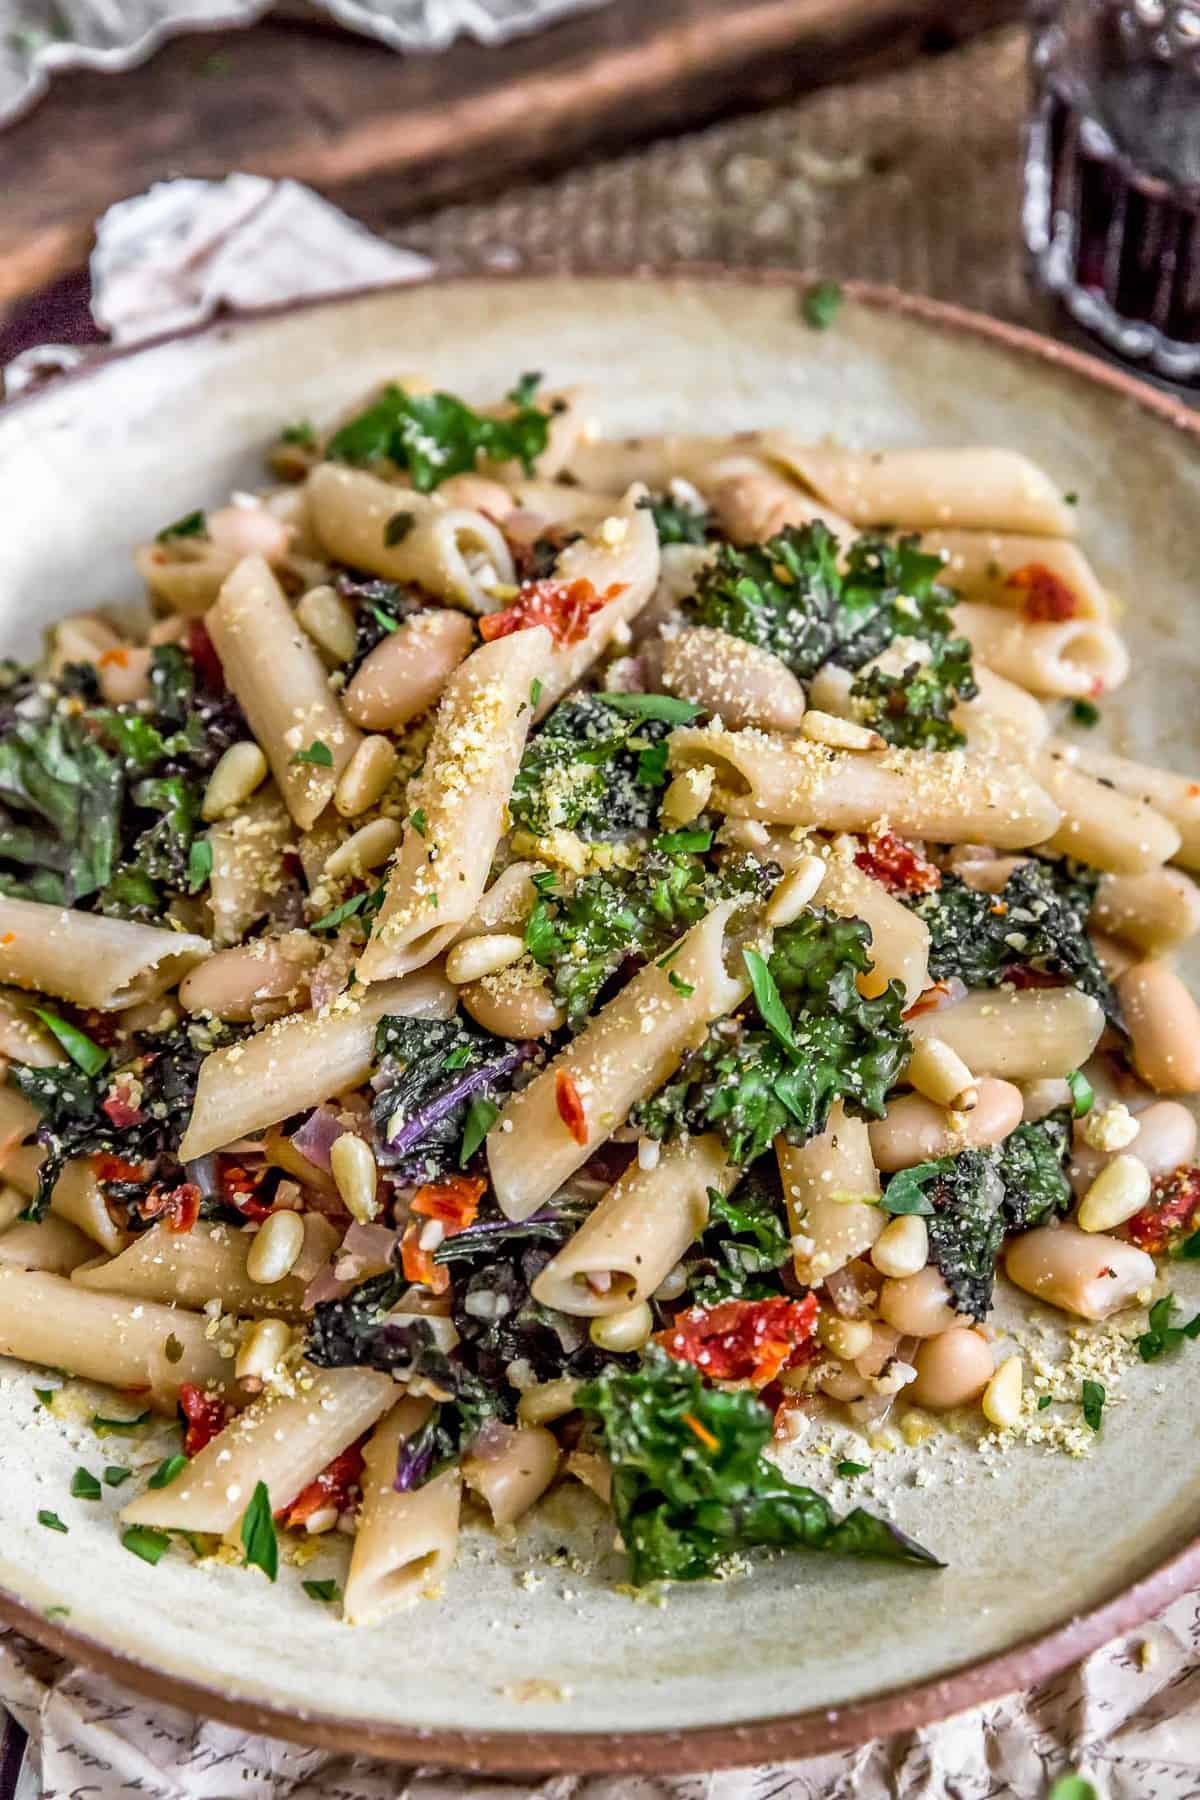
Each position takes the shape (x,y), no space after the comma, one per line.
(1113,175)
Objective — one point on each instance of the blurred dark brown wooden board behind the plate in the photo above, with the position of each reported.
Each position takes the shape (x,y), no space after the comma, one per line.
(390,136)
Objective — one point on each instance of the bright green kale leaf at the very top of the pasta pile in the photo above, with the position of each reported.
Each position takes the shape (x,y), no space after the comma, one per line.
(436,436)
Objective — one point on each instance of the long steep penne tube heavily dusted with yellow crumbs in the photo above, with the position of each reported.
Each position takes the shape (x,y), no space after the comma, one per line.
(458,805)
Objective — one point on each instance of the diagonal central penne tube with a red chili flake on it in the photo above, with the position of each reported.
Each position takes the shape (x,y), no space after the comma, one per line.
(625,1052)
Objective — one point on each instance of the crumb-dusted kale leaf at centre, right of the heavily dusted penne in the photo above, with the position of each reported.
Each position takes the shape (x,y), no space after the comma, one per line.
(591,769)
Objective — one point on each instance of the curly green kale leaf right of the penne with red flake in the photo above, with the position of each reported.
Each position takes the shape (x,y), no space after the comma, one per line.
(809,1039)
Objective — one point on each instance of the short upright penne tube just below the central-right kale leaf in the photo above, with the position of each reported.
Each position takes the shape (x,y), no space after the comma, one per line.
(832,1191)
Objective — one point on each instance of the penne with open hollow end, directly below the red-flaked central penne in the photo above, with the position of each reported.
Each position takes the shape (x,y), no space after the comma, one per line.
(638,1232)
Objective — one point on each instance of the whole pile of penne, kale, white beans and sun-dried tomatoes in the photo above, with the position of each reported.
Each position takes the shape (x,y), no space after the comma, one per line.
(560,960)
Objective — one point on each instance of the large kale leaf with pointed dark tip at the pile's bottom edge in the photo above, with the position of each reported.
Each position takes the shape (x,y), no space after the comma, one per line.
(692,1484)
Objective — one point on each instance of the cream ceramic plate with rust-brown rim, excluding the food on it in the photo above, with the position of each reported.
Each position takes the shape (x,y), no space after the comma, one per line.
(532,1659)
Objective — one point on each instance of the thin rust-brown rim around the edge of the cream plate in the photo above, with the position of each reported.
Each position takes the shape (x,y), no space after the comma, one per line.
(805,1734)
